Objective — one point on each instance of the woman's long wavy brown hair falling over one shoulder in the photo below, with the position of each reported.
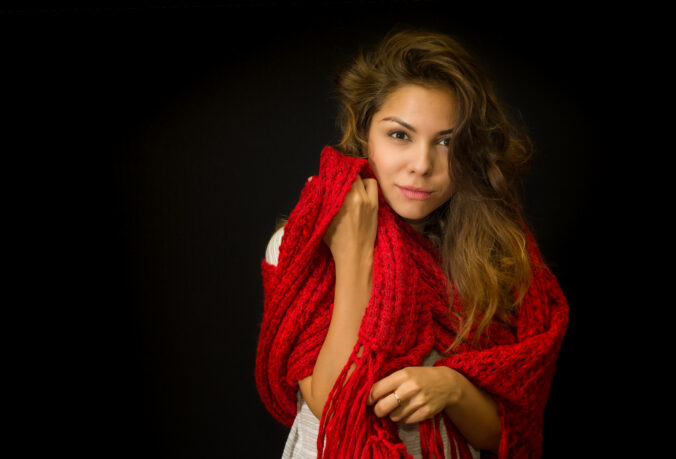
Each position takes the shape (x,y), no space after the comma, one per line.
(480,230)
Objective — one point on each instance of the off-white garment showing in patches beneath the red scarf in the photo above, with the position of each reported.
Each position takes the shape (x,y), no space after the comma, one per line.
(302,440)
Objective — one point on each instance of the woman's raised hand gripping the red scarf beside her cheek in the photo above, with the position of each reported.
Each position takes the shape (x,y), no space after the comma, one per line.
(352,233)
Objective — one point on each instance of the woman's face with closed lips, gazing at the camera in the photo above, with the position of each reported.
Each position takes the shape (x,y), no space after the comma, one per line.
(408,143)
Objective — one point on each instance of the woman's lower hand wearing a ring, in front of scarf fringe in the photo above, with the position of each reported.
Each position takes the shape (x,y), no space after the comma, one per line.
(423,392)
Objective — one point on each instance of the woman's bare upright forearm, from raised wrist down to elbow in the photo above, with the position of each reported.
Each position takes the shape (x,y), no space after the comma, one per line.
(351,297)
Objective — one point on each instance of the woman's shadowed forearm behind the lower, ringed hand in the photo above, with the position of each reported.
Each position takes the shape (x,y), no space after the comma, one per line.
(475,414)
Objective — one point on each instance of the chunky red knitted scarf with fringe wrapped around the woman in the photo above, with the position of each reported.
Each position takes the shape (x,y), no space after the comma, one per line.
(407,316)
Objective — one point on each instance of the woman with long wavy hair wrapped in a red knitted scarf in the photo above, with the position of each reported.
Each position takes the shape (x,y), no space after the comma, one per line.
(408,290)
